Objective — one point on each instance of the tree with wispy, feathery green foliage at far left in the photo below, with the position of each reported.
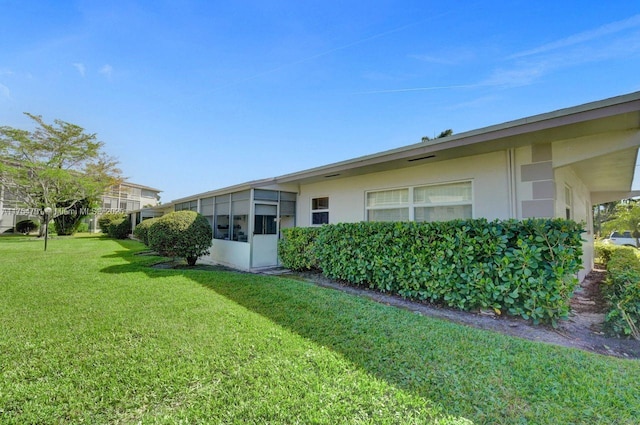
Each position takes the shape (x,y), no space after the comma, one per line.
(56,165)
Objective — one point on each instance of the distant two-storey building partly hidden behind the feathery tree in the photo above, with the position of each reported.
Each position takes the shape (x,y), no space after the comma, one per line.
(125,197)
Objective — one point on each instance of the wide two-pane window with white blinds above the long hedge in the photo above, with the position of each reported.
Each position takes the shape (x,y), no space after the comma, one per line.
(439,202)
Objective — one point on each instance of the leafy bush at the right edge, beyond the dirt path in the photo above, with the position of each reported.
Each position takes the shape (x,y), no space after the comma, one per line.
(622,290)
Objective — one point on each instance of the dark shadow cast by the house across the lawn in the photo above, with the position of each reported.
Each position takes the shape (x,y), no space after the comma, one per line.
(473,373)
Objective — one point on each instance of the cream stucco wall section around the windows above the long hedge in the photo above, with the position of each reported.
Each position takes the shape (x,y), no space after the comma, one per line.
(488,173)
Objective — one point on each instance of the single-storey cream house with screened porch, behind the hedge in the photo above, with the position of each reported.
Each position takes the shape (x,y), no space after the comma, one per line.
(556,164)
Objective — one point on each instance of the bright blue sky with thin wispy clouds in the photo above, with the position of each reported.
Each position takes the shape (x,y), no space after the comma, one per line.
(192,96)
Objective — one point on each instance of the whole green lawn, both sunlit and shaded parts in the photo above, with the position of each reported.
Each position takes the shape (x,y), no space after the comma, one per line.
(90,334)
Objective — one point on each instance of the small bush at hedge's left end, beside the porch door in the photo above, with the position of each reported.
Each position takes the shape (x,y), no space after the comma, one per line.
(296,249)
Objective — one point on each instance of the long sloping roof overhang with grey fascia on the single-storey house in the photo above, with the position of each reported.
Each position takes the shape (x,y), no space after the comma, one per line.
(610,116)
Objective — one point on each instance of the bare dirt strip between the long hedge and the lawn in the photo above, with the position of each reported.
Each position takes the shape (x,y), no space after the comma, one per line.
(583,329)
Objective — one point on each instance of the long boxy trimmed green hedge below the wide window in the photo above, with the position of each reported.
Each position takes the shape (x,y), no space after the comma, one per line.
(522,268)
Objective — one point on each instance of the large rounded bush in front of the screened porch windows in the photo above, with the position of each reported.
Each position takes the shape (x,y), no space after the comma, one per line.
(184,234)
